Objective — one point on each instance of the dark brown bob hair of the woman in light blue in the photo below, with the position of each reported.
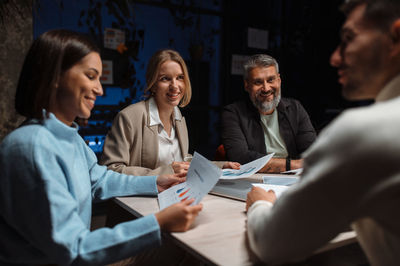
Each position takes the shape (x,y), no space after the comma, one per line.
(50,55)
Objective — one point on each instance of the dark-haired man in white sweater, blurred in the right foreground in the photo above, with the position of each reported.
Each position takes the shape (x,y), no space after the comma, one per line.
(352,172)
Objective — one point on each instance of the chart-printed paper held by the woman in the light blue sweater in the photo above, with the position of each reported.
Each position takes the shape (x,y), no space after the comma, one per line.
(201,178)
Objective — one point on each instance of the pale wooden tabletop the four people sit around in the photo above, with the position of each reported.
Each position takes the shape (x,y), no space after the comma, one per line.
(218,235)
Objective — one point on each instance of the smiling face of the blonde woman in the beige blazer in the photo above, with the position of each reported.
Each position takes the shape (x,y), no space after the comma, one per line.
(170,86)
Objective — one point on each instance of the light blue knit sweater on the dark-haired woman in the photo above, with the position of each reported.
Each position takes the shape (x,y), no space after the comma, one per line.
(49,178)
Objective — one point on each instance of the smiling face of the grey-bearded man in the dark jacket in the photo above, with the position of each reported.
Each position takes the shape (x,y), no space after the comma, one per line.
(264,87)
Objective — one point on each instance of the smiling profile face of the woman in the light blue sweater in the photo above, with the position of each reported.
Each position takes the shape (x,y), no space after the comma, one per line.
(77,89)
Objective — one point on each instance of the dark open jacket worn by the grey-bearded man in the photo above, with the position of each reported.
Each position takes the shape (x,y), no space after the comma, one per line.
(243,136)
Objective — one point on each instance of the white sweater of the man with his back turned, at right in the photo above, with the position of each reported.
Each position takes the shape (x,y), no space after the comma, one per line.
(351,177)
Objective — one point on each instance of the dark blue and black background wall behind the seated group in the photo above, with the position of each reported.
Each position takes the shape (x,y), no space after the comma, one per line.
(302,35)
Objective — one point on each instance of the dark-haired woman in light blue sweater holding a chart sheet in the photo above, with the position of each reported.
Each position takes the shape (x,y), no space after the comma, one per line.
(50,177)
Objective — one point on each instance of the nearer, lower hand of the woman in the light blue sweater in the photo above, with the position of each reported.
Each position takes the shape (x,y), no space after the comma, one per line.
(178,217)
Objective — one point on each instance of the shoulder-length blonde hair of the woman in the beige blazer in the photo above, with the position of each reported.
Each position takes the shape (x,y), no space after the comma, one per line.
(153,69)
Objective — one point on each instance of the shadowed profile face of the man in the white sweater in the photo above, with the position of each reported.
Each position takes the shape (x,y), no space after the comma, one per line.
(361,58)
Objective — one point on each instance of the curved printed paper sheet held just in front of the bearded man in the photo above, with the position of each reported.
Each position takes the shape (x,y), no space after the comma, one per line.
(247,169)
